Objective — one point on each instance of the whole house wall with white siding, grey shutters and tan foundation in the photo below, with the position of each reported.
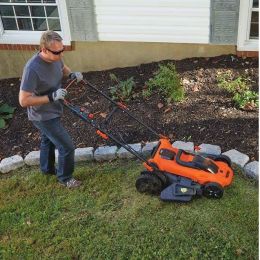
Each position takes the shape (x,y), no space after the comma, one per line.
(113,33)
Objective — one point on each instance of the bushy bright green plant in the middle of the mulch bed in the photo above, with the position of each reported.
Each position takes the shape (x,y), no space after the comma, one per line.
(168,82)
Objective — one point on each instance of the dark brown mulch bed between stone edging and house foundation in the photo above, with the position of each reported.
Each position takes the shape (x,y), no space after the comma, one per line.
(207,115)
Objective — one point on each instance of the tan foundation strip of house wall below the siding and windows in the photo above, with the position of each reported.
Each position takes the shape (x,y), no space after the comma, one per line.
(93,56)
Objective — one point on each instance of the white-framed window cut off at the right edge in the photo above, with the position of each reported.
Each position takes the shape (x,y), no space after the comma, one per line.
(248,28)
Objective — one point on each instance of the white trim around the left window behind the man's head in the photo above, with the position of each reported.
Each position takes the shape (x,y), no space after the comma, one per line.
(33,37)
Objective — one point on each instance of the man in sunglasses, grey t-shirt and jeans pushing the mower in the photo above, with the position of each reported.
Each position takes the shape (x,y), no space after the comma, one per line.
(41,93)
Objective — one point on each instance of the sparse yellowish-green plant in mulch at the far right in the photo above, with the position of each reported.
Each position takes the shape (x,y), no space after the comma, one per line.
(243,97)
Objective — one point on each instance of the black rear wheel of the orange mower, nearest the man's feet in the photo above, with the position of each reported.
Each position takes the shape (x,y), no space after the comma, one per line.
(148,183)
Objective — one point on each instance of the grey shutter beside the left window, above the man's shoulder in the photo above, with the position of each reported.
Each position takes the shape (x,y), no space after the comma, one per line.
(82,20)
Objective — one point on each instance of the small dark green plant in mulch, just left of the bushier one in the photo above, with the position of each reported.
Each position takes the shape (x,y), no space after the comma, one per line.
(123,90)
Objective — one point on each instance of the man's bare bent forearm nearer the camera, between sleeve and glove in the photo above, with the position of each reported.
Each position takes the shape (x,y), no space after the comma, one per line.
(27,99)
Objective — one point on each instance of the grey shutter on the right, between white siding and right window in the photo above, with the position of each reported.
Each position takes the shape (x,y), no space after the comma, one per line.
(224,21)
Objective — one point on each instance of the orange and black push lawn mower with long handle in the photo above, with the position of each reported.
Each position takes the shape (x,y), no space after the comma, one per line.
(173,174)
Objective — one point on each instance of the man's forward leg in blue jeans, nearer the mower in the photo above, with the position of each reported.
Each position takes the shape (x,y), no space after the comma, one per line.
(56,133)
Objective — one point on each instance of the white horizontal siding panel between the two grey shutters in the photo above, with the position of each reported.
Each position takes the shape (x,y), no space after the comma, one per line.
(179,21)
